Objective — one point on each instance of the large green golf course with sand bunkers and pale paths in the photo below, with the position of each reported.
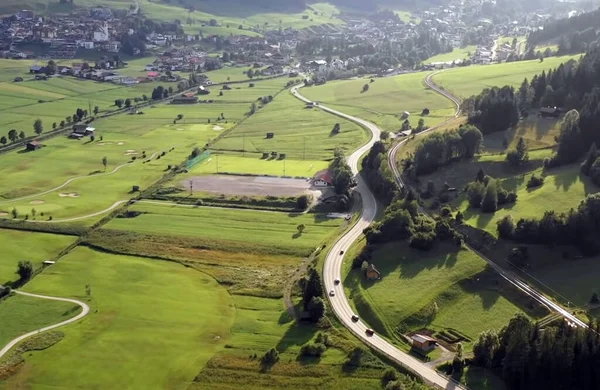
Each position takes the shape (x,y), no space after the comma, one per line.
(120,139)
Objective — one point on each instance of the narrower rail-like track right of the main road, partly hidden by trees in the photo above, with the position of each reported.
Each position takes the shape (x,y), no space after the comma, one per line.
(510,276)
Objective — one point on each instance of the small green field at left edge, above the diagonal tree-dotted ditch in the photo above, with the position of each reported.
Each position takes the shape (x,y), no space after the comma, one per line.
(35,247)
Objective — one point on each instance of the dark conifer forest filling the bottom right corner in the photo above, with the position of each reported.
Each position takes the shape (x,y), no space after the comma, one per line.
(554,358)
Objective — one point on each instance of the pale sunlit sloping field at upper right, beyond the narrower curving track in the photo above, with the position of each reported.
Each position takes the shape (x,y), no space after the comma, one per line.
(471,80)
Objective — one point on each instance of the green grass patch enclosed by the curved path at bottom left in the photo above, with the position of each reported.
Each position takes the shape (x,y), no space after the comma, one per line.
(21,314)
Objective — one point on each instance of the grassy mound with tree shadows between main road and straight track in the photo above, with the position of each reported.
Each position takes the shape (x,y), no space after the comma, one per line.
(467,298)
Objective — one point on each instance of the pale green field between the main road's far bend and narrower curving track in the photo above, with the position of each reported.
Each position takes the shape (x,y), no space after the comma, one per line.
(385,101)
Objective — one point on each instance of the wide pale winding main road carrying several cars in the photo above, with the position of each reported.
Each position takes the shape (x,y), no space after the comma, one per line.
(334,260)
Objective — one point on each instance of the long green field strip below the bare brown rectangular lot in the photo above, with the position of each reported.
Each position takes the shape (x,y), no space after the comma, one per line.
(242,226)
